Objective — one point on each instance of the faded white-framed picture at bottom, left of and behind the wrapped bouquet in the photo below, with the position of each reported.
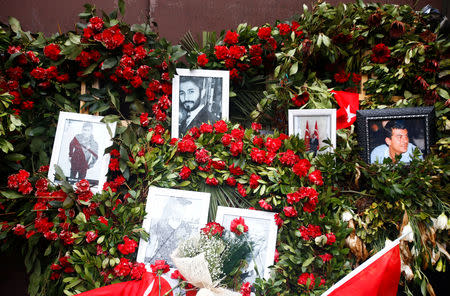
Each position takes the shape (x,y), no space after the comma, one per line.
(172,216)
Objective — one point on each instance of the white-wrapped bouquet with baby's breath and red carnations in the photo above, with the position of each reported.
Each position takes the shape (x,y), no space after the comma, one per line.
(214,259)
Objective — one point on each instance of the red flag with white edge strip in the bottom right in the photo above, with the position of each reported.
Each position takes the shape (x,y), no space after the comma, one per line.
(378,276)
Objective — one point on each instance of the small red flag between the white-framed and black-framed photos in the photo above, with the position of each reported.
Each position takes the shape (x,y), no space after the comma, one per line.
(349,103)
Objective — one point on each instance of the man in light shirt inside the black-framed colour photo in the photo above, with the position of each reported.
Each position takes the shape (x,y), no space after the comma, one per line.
(397,142)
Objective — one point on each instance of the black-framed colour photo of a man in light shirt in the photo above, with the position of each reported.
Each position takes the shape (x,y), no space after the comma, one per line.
(395,133)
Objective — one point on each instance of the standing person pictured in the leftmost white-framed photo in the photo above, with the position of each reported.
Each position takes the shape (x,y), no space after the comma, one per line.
(83,153)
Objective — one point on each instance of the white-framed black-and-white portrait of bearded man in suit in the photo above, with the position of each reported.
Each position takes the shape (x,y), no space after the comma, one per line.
(198,96)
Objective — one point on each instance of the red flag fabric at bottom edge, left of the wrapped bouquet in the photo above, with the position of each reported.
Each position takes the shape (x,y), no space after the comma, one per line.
(133,288)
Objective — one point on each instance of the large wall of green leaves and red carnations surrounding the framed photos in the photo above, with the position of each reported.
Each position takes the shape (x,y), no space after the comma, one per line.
(332,210)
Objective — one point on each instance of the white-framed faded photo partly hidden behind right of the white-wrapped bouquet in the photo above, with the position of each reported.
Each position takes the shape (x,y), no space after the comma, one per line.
(262,230)
